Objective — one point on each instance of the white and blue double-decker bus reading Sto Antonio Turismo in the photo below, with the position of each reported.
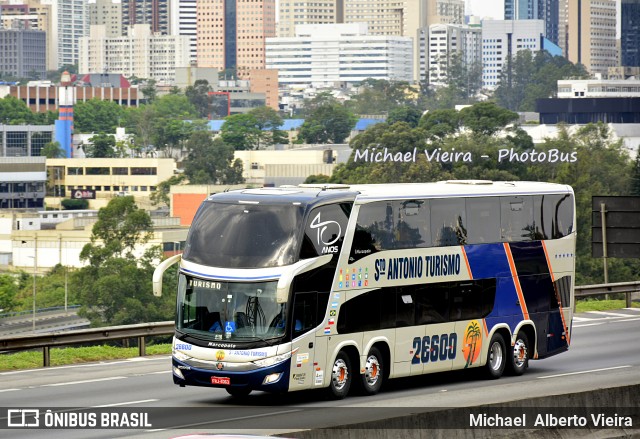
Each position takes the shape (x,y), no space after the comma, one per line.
(342,287)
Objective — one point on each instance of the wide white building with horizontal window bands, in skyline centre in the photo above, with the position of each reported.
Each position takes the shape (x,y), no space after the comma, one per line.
(340,54)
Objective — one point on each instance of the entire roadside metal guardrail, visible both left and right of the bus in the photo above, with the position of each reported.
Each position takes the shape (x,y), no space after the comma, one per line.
(143,330)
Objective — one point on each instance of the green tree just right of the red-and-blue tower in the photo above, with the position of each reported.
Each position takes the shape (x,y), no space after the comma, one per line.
(96,116)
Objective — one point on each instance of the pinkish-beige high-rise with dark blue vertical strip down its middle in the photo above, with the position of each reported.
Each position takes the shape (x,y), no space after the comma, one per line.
(232,33)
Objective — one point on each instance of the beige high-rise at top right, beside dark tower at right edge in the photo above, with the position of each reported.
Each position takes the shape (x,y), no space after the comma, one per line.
(592,34)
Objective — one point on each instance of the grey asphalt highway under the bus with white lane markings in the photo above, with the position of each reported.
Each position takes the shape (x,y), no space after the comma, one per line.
(604,352)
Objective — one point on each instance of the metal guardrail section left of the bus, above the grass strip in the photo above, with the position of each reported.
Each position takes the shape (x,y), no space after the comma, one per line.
(52,339)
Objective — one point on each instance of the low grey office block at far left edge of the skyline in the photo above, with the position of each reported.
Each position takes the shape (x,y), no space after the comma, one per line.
(23,53)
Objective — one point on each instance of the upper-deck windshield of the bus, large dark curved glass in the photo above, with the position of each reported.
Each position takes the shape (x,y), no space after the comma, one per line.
(245,235)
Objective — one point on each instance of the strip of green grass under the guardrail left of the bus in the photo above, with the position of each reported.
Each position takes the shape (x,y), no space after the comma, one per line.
(62,356)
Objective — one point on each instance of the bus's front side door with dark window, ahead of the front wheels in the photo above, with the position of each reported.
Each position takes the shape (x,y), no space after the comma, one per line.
(308,311)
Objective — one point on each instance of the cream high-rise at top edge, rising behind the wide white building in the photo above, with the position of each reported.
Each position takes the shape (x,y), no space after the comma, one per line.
(295,12)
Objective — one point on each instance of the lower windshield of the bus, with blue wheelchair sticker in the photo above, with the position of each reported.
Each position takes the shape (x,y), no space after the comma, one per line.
(230,311)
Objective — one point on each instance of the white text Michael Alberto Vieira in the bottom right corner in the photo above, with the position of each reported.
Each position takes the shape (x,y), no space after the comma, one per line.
(600,420)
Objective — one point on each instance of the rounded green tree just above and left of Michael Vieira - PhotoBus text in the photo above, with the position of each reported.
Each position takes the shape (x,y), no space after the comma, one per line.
(328,124)
